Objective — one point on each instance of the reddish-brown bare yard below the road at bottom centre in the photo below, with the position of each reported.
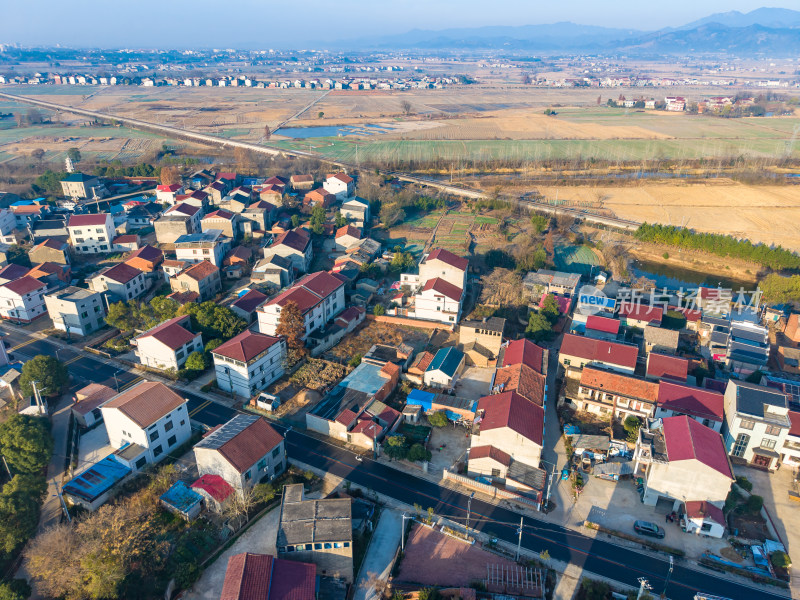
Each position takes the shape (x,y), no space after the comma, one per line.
(432,558)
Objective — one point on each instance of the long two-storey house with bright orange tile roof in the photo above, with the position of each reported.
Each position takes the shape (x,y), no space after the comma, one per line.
(606,392)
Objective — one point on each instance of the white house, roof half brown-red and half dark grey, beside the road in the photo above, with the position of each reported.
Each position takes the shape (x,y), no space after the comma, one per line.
(244,451)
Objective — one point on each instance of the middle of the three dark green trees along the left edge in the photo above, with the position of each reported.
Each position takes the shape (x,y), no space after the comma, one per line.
(26,443)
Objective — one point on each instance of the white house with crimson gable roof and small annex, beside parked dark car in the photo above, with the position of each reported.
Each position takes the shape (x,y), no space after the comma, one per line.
(684,461)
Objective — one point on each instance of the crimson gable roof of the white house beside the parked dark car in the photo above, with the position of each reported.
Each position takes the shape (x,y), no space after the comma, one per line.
(686,439)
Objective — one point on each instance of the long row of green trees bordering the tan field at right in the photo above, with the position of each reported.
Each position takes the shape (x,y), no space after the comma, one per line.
(776,258)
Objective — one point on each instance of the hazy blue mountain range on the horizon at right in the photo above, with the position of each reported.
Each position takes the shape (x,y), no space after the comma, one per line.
(771,31)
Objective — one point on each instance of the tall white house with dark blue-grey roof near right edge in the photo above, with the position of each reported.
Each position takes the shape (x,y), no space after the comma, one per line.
(756,423)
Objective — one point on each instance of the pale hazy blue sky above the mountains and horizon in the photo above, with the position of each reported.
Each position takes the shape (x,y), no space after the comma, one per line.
(297,23)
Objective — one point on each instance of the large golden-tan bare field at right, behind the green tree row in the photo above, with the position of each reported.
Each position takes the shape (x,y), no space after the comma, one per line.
(761,213)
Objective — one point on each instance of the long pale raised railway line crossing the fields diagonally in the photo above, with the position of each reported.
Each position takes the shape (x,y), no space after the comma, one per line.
(215,141)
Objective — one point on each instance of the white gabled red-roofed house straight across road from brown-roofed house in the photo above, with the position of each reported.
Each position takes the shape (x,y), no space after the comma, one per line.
(168,345)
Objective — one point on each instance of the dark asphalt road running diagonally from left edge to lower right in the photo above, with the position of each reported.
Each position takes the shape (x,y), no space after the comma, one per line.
(596,556)
